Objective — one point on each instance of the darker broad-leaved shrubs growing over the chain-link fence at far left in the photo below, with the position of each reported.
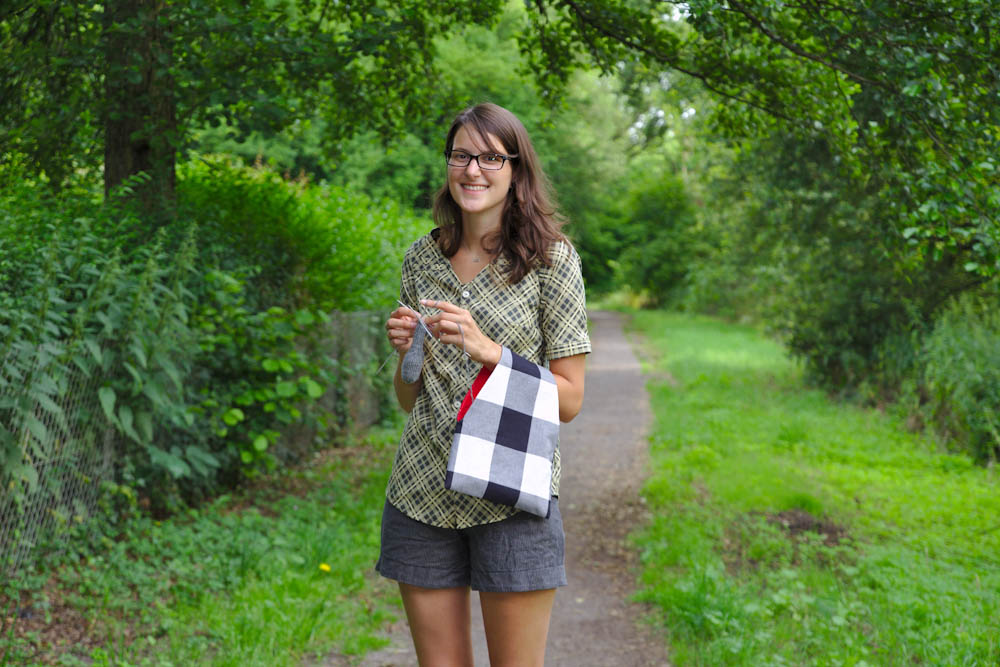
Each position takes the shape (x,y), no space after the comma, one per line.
(142,332)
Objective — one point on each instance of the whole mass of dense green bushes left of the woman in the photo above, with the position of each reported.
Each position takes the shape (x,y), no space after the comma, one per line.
(202,341)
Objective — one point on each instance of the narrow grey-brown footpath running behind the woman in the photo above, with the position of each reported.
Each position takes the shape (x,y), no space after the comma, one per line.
(603,459)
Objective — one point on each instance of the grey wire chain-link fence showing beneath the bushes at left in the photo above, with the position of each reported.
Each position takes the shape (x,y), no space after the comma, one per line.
(78,450)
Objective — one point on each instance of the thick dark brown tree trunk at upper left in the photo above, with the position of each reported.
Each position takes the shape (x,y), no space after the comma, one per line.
(140,118)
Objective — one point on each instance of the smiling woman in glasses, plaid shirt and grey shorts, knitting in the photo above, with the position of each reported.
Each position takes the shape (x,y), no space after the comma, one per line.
(496,273)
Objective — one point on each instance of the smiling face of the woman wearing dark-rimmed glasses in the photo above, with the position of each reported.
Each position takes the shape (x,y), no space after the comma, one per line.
(475,190)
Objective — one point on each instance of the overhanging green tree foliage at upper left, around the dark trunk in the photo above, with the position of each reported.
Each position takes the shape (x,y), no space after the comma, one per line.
(126,80)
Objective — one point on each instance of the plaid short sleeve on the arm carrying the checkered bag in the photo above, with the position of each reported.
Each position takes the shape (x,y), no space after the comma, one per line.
(563,304)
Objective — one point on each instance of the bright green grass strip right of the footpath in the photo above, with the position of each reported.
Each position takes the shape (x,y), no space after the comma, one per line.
(794,530)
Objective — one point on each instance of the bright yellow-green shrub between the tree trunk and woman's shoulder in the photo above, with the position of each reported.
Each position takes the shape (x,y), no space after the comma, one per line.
(315,244)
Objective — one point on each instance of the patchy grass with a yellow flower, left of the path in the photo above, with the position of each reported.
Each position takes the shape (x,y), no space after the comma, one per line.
(280,575)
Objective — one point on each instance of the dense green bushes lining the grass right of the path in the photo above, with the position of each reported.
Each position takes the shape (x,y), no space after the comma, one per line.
(780,234)
